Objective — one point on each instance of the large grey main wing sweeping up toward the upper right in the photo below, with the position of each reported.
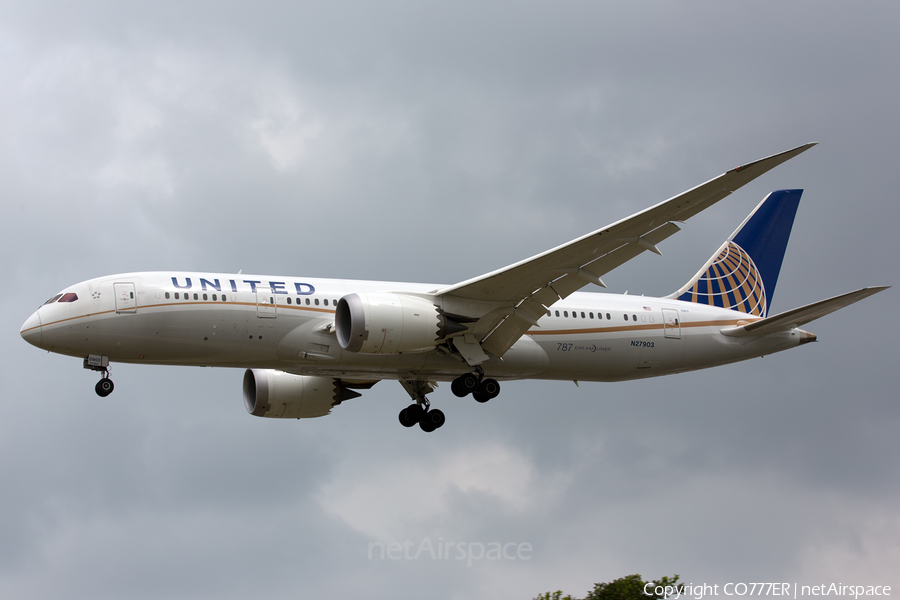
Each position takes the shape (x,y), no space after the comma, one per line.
(526,288)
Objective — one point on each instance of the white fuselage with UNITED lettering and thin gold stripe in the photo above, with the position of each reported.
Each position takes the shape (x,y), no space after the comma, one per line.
(286,323)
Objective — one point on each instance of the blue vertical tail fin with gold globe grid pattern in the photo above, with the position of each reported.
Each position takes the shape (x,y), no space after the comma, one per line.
(743,273)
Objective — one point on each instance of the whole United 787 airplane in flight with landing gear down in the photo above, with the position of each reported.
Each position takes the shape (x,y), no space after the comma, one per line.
(308,344)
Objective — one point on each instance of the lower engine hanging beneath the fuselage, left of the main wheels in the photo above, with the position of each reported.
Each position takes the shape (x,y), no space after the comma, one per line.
(271,393)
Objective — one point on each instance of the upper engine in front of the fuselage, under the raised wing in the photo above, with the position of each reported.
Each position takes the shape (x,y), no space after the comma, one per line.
(388,323)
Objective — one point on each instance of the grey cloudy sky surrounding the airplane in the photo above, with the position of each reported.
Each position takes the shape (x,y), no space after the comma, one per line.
(422,141)
